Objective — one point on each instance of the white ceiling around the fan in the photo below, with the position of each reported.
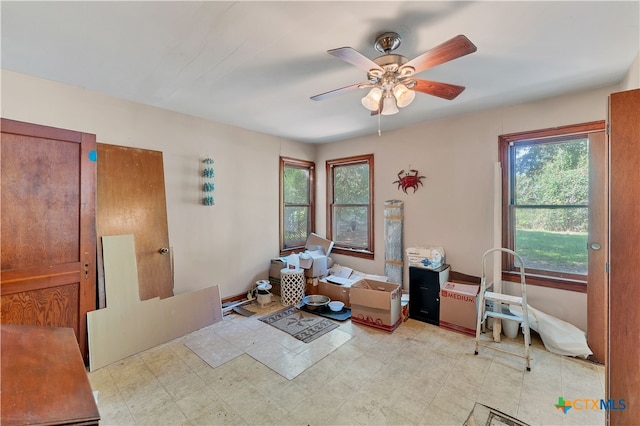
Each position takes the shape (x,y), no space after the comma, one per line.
(255,64)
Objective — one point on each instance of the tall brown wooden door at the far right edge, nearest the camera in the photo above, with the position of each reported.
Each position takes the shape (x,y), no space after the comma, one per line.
(623,366)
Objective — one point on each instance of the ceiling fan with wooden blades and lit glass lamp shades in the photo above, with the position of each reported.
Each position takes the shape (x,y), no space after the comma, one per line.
(391,77)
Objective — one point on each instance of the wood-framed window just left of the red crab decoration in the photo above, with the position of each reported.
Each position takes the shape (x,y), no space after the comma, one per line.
(350,205)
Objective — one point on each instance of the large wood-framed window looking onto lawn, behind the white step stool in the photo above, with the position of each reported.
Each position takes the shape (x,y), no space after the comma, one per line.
(546,204)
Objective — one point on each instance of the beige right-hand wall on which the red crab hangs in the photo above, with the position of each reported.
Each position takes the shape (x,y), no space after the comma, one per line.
(454,209)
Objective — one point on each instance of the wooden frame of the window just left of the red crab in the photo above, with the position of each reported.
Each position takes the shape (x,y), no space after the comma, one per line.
(367,159)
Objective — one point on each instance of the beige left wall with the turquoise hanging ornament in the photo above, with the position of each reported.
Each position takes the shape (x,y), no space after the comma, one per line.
(229,244)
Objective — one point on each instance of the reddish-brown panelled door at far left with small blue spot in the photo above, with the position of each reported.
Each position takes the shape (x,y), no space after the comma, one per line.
(48,227)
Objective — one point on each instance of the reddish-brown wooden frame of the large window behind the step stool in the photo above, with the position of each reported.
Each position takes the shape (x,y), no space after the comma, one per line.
(571,282)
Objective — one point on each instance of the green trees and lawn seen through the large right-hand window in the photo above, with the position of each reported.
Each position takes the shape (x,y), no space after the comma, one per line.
(550,205)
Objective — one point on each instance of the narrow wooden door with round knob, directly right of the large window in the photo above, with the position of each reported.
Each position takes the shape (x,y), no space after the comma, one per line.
(597,246)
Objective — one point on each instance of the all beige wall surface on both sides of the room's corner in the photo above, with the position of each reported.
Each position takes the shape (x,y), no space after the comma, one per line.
(231,243)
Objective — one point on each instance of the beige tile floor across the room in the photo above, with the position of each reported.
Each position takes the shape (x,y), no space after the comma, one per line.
(418,375)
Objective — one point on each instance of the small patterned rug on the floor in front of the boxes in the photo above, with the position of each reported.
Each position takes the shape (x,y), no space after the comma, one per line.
(302,325)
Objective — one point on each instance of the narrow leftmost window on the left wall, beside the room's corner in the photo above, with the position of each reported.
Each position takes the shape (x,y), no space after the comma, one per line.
(297,201)
